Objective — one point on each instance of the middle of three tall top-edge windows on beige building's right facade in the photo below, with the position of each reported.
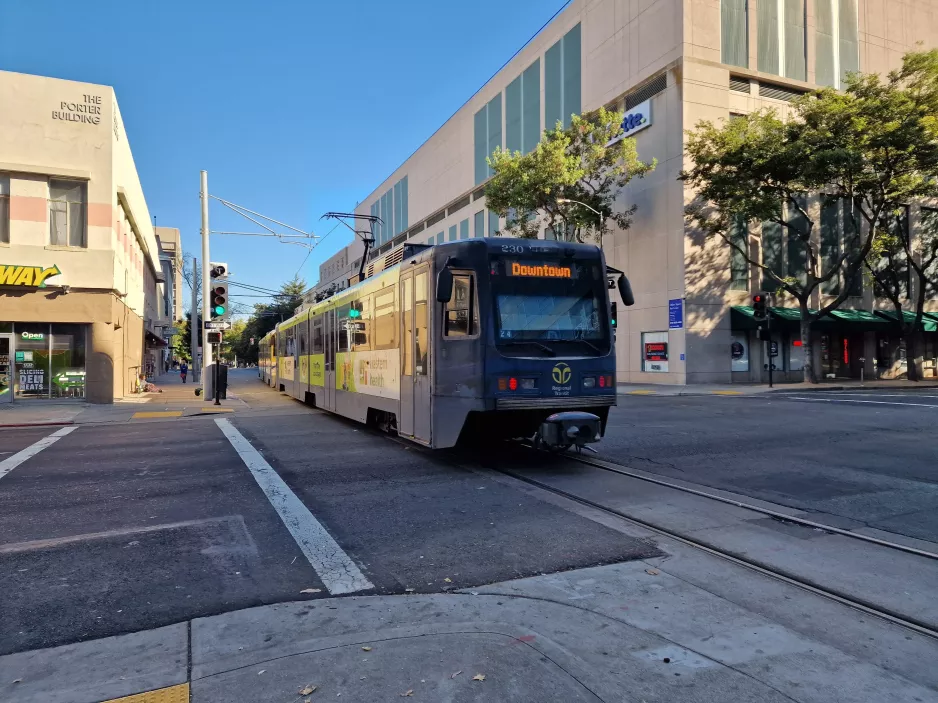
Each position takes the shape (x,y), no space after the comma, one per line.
(781,25)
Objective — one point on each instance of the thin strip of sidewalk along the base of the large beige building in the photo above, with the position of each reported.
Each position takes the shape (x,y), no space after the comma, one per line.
(757,388)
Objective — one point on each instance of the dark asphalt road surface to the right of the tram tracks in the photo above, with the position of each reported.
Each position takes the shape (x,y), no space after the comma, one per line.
(862,458)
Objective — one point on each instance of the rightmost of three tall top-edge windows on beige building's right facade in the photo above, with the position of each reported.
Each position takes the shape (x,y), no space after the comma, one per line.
(836,41)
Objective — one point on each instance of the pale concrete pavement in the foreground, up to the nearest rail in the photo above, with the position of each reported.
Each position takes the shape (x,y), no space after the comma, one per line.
(687,627)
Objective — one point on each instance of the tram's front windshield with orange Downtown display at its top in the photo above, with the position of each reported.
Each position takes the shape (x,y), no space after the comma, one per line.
(550,308)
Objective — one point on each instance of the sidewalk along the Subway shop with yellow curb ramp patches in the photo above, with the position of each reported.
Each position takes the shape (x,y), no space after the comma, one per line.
(176,400)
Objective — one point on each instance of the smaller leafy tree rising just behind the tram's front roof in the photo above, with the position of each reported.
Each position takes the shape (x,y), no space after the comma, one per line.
(589,162)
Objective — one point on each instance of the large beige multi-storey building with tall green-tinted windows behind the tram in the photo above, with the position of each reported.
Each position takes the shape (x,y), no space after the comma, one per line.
(668,64)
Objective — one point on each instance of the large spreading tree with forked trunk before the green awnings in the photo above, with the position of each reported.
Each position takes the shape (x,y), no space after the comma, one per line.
(869,148)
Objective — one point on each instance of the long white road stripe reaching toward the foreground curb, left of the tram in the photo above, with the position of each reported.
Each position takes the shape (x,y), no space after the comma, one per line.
(336,569)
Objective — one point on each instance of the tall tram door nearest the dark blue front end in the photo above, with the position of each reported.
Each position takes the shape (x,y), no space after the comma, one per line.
(414,418)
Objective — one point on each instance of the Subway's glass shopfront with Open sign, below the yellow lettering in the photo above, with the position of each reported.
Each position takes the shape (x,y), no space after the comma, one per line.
(42,361)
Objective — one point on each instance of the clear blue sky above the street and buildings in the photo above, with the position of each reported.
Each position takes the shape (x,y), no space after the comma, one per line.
(294,108)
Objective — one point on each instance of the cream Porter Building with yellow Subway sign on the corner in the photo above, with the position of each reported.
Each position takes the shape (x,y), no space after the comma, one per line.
(81,282)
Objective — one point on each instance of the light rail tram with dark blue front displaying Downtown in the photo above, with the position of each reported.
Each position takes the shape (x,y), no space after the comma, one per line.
(474,339)
